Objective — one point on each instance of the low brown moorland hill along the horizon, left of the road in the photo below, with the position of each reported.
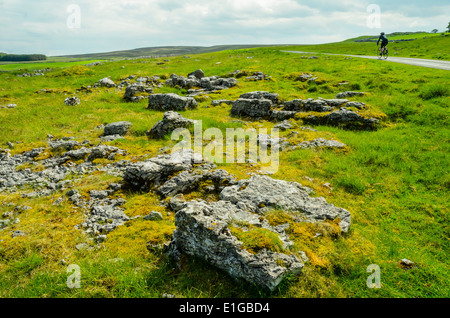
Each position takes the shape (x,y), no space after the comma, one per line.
(163,51)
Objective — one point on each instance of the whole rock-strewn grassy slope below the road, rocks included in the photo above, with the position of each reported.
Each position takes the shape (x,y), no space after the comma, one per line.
(88,184)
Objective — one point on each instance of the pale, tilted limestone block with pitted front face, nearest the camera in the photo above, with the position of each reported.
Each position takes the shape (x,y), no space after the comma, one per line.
(202,231)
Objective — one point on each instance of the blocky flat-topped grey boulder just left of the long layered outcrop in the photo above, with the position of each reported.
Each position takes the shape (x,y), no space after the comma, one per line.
(171,101)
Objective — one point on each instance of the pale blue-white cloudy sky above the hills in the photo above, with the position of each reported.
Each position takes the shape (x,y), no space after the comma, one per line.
(55,27)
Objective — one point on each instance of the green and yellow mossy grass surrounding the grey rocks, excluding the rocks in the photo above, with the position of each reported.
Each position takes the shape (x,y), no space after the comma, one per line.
(394,181)
